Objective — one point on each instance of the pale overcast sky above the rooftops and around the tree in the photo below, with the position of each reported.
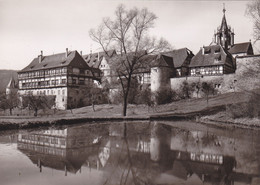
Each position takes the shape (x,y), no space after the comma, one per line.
(29,26)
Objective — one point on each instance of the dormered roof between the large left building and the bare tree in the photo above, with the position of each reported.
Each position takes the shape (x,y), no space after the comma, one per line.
(94,59)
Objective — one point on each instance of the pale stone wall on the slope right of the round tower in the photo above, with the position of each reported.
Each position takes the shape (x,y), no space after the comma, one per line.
(246,77)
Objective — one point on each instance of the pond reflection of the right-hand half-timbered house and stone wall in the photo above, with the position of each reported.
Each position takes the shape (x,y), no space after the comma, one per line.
(215,157)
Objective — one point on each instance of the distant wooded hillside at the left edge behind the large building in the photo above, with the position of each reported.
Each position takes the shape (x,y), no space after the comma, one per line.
(5,76)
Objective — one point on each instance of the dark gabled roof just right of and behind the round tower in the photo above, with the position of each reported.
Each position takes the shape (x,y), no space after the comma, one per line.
(179,56)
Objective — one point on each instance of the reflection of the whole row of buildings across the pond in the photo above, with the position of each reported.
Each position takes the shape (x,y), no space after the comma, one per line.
(149,151)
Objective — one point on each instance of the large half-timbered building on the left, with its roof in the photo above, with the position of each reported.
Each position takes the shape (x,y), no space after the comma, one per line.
(65,76)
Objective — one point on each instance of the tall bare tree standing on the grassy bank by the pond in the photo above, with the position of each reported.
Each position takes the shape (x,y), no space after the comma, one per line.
(128,34)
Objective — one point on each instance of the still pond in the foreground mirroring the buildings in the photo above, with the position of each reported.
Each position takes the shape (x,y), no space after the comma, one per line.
(130,153)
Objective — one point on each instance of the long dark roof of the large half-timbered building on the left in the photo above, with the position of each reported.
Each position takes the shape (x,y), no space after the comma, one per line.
(56,60)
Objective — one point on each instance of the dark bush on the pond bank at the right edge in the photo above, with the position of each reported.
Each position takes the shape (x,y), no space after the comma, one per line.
(249,109)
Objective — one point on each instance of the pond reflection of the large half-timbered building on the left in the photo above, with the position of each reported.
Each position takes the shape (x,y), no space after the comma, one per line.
(61,149)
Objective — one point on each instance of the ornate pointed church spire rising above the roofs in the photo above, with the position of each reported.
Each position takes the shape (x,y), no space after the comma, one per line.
(224,35)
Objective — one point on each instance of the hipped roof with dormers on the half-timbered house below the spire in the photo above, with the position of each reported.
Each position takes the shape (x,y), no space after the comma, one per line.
(214,55)
